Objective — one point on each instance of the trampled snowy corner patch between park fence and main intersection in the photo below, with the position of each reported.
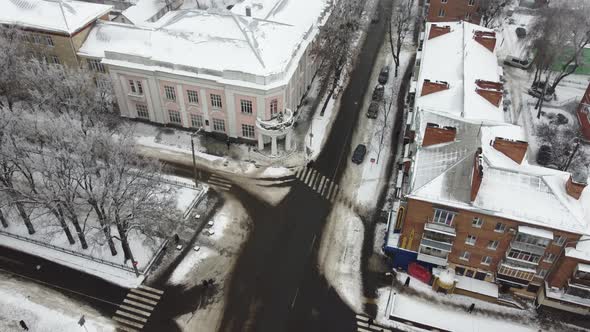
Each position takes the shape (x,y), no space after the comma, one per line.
(215,259)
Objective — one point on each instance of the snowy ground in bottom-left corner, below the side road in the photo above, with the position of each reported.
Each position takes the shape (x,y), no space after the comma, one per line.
(44,309)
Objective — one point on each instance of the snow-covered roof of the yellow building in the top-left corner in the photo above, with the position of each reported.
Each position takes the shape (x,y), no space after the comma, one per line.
(51,15)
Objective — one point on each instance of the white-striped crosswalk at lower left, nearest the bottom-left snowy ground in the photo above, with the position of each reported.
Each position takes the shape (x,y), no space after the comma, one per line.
(137,307)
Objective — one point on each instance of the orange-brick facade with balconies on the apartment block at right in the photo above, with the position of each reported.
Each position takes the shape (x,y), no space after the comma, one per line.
(419,212)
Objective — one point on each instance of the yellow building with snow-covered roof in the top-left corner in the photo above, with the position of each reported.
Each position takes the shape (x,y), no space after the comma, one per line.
(54,30)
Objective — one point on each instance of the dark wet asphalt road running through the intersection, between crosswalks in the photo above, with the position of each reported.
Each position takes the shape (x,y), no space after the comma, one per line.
(275,285)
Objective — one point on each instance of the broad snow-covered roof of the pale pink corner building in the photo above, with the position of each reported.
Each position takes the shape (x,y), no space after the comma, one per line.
(214,41)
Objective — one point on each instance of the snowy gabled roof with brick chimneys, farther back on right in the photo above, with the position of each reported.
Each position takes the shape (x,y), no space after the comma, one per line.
(459,60)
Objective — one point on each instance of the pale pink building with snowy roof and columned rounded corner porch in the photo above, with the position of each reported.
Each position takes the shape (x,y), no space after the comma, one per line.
(238,73)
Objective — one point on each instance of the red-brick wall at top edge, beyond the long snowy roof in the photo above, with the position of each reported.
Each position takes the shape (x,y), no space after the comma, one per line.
(454,10)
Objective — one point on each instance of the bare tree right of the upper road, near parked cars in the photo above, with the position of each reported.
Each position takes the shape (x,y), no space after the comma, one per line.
(402,19)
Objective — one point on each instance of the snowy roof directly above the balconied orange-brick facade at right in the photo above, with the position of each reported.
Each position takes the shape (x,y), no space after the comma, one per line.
(524,192)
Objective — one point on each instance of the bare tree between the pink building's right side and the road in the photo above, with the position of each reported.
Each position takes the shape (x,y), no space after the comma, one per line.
(334,47)
